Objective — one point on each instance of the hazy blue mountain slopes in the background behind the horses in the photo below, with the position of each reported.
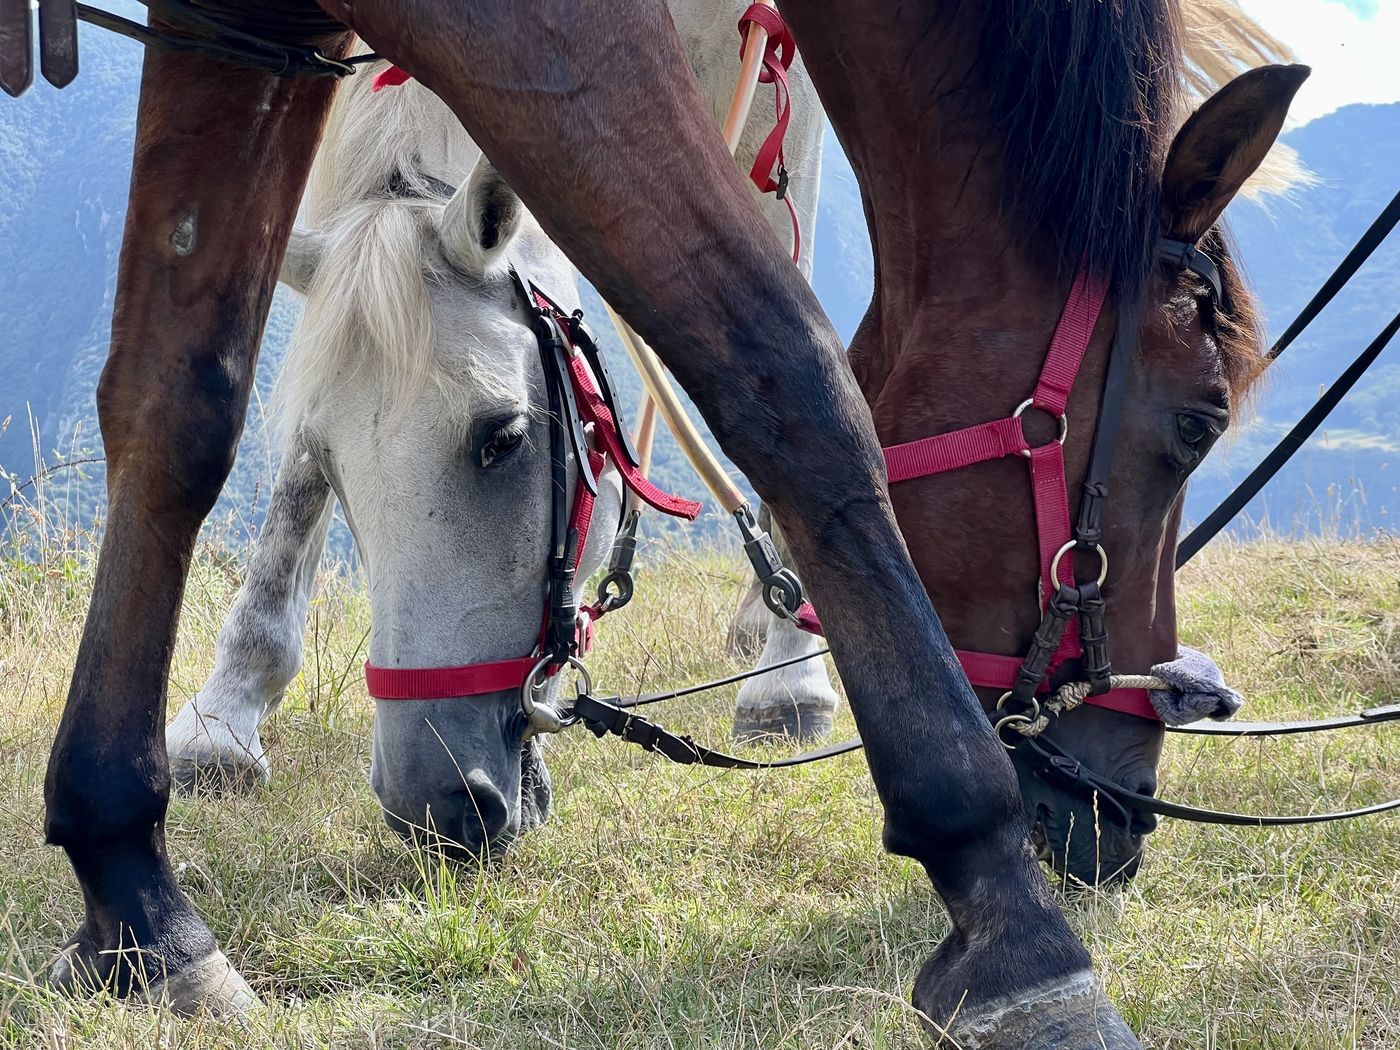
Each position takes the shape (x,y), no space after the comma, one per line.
(65,166)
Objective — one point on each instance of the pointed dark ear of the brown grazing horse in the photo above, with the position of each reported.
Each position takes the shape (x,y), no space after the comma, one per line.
(1221,146)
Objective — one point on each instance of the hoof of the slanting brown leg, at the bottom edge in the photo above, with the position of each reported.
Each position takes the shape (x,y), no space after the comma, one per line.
(1072,1014)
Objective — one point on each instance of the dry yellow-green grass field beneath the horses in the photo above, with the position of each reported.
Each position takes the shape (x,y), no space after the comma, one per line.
(680,908)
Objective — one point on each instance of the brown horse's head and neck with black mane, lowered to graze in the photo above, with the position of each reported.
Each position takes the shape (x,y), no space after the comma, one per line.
(1000,155)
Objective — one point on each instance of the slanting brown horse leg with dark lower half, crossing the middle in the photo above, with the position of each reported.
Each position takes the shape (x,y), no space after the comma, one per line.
(591,113)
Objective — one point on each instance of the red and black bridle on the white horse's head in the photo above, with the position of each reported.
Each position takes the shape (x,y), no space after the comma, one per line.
(580,395)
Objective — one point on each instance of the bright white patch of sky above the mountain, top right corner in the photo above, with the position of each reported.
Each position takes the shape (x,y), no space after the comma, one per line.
(1353,47)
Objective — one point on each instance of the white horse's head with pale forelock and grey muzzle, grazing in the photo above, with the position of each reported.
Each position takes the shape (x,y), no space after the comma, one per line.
(416,383)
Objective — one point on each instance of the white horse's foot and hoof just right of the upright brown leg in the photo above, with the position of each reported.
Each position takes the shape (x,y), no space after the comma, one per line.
(216,754)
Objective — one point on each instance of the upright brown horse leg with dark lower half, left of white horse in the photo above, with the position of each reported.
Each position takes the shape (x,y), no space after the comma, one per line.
(222,156)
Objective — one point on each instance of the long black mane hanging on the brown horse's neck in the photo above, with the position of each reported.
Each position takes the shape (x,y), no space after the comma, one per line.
(1081,96)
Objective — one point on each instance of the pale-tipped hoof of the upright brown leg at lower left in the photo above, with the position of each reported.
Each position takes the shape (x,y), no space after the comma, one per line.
(209,986)
